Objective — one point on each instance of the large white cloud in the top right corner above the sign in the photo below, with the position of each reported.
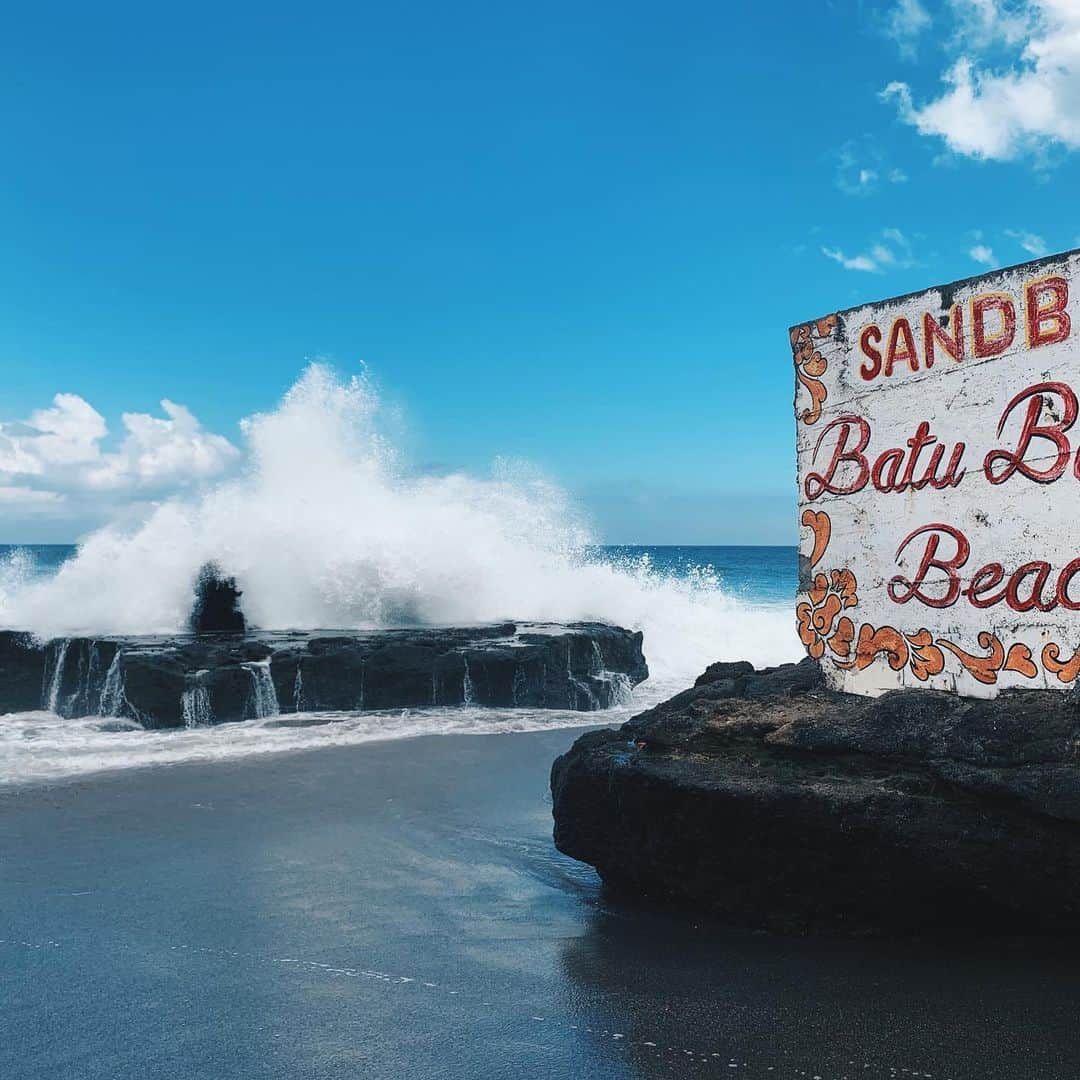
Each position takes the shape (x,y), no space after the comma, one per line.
(1001,113)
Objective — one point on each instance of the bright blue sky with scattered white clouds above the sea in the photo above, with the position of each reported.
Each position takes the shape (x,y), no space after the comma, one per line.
(574,234)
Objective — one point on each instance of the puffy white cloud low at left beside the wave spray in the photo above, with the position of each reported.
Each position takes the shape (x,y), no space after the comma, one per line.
(58,456)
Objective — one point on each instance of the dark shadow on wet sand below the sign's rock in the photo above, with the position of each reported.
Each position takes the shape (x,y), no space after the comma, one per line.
(687,996)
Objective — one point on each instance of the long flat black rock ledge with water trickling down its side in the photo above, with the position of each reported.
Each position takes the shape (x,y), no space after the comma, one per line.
(200,680)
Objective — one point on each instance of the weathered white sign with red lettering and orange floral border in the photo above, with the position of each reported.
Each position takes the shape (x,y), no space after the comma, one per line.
(939,470)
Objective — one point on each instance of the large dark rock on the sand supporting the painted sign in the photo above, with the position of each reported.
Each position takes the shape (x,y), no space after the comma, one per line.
(772,802)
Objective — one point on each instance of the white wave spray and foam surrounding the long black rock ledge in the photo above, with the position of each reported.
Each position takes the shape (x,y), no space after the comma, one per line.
(328,526)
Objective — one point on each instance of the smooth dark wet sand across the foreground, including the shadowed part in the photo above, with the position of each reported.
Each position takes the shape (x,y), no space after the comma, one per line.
(398,910)
